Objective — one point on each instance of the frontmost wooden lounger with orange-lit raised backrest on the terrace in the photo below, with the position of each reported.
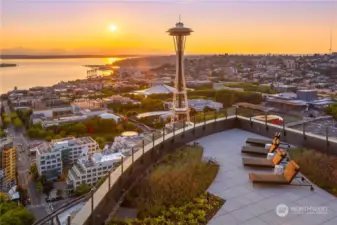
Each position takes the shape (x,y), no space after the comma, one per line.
(286,178)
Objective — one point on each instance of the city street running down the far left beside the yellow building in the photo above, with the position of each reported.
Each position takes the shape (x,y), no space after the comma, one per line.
(23,161)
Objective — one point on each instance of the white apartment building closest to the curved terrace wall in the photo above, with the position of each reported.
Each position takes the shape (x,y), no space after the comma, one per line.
(89,169)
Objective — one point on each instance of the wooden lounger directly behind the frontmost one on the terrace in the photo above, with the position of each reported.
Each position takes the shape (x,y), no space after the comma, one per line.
(263,162)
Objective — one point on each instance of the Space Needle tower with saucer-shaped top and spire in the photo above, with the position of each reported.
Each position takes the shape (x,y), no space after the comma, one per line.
(180,110)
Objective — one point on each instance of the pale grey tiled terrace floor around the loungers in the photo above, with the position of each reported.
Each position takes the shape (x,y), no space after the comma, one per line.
(256,205)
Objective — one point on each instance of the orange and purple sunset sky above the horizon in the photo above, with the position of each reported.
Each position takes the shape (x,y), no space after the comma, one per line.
(220,26)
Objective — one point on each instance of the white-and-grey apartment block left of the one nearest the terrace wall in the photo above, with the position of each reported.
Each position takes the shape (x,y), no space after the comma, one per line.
(50,157)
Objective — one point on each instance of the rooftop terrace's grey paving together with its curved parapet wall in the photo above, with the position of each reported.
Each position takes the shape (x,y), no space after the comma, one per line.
(222,139)
